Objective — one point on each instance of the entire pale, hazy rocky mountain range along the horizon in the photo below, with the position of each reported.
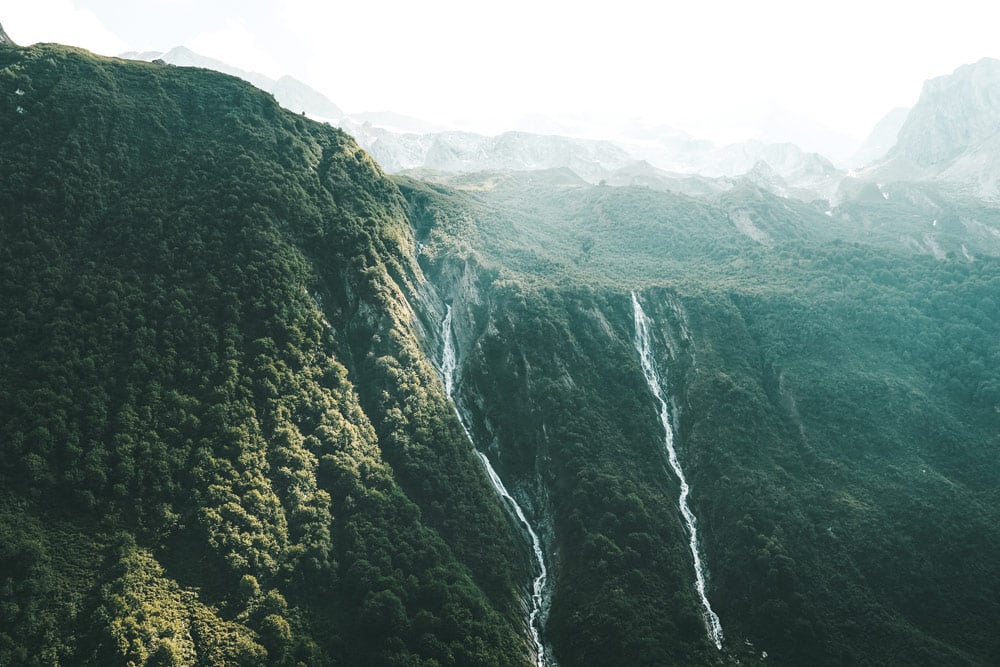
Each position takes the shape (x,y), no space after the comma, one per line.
(950,136)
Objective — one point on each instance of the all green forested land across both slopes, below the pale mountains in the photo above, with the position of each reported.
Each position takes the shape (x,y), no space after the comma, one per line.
(223,439)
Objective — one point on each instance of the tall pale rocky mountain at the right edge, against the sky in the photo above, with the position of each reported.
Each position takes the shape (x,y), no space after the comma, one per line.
(950,135)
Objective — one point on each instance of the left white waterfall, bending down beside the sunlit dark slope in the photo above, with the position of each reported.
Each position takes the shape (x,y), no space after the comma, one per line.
(538,585)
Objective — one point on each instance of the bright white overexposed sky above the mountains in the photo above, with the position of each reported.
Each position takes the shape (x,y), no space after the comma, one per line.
(720,69)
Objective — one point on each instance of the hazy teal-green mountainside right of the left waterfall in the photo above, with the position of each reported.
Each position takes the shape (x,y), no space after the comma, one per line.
(834,393)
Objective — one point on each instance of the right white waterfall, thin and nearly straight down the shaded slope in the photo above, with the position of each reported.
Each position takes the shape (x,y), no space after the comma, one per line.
(643,345)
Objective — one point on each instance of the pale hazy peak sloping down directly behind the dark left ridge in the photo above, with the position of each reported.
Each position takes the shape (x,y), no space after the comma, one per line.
(290,93)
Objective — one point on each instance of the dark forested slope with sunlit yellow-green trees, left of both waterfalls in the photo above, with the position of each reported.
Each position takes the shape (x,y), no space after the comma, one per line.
(221,440)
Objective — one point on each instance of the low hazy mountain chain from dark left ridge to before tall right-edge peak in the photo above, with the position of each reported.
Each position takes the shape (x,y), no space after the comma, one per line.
(400,143)
